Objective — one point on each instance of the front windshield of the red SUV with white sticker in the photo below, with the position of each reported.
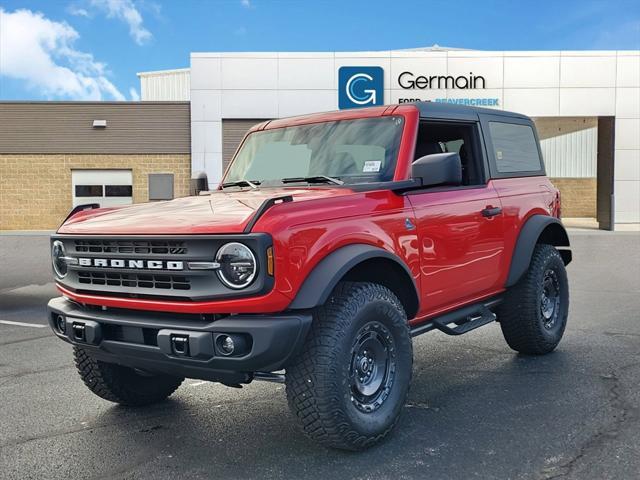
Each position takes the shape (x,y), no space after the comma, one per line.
(352,151)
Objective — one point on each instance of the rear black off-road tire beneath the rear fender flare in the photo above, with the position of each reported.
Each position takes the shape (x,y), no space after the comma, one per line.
(521,314)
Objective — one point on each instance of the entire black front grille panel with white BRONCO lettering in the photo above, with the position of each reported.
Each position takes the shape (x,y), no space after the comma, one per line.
(157,267)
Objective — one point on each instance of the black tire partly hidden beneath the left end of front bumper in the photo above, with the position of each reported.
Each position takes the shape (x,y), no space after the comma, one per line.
(123,385)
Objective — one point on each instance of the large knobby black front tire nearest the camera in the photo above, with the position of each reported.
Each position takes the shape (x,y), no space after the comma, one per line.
(318,382)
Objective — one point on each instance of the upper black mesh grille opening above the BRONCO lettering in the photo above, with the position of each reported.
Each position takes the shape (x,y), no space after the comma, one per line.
(140,247)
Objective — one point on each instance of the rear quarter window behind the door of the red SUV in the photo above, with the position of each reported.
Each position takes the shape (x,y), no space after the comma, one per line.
(515,148)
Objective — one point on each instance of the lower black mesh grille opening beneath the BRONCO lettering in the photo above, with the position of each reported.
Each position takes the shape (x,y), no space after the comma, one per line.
(135,280)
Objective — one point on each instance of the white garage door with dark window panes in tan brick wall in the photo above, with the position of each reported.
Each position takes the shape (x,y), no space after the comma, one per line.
(106,187)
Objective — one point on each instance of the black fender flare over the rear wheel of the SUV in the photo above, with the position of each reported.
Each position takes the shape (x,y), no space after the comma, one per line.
(551,230)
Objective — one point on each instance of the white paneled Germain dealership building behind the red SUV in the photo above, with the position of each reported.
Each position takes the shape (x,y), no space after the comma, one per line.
(586,103)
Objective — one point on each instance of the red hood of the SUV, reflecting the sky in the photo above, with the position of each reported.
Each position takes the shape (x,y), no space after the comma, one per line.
(220,212)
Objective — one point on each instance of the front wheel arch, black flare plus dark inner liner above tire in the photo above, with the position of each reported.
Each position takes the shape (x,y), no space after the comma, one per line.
(358,262)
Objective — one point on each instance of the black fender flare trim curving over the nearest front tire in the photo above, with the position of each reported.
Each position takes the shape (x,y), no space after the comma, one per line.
(324,277)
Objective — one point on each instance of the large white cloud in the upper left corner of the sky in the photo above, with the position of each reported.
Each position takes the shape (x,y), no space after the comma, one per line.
(41,52)
